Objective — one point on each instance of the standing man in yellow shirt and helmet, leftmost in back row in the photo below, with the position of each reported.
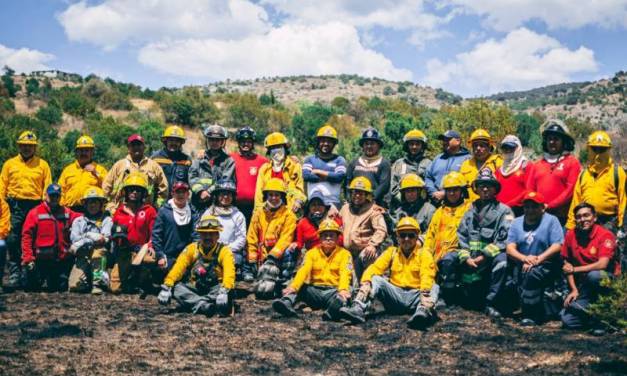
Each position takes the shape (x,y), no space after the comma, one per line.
(23,183)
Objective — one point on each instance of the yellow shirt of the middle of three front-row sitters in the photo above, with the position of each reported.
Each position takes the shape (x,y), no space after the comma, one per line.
(319,269)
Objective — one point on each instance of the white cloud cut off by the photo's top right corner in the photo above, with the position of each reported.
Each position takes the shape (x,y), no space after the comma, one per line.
(505,15)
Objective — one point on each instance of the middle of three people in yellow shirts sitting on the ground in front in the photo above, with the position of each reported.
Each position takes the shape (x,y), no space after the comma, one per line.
(328,268)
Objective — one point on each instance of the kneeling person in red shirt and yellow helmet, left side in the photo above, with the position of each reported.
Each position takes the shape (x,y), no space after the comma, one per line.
(134,252)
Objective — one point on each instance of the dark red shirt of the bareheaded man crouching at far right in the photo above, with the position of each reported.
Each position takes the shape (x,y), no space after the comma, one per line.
(601,243)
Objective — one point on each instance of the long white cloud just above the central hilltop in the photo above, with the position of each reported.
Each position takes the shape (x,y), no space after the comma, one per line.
(330,48)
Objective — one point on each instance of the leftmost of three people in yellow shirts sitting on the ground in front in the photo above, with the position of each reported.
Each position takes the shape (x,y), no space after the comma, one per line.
(211,269)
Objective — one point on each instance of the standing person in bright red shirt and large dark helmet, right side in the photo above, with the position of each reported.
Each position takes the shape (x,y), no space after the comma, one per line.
(555,175)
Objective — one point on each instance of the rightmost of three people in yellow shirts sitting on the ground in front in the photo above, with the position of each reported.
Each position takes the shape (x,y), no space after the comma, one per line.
(411,286)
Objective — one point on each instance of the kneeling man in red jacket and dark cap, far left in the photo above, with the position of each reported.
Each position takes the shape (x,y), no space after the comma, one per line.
(45,241)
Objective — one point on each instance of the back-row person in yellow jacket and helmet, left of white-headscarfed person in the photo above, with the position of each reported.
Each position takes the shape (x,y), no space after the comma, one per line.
(482,147)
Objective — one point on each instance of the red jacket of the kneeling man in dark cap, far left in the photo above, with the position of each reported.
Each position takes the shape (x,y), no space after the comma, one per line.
(46,236)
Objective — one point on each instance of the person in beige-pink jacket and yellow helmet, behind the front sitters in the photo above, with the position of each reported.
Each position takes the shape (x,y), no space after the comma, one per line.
(364,224)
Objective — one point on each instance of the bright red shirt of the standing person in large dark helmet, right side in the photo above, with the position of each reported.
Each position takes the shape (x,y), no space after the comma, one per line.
(556,181)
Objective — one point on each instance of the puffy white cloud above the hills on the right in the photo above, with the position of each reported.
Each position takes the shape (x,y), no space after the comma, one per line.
(522,60)
